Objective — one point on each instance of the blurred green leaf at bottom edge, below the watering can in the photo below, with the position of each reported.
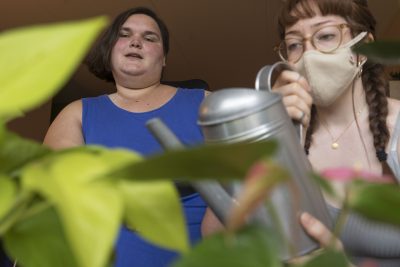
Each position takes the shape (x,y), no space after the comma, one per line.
(253,246)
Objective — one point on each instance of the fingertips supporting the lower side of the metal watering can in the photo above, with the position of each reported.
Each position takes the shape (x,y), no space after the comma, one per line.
(319,231)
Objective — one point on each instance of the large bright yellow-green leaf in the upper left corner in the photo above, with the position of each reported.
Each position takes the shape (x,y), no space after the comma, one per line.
(38,60)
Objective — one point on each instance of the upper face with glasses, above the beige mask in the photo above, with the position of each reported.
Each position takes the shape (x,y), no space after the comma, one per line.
(308,33)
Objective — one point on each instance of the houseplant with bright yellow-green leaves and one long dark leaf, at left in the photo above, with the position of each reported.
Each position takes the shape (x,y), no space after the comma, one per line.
(54,206)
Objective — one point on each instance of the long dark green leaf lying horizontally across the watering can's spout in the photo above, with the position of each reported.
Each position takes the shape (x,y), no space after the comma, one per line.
(224,161)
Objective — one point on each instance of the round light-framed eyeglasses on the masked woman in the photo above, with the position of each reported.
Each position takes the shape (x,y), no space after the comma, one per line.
(326,40)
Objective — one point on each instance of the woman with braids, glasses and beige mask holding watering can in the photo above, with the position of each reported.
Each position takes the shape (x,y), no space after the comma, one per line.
(341,99)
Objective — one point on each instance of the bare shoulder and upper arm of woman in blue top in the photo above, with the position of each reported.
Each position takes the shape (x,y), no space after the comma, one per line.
(66,129)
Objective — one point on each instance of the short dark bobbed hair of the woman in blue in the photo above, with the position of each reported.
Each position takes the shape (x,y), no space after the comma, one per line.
(98,60)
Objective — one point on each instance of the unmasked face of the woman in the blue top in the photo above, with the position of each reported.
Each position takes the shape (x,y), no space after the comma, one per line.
(138,49)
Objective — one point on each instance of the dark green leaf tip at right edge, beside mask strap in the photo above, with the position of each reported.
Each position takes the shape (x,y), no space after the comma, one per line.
(387,52)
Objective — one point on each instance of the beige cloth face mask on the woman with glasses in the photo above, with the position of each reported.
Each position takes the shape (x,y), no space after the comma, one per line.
(329,75)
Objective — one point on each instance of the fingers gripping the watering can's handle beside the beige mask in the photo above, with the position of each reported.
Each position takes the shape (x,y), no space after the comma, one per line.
(296,95)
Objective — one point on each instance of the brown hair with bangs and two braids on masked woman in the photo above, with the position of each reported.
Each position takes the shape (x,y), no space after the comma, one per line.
(375,84)
